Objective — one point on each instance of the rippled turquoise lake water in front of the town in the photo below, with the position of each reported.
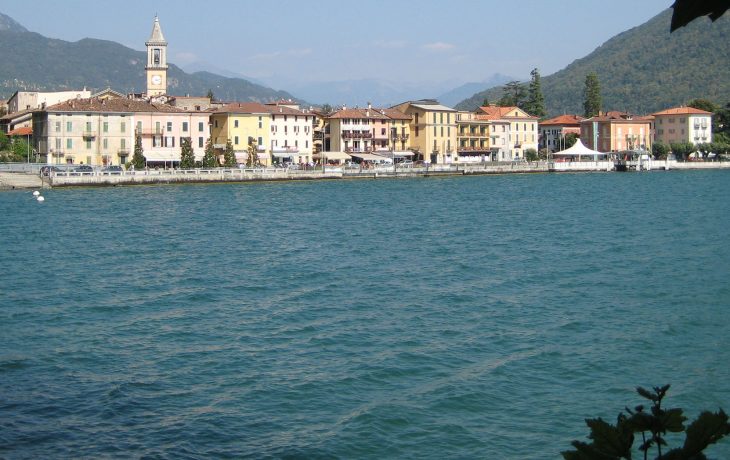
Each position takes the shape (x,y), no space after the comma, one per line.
(480,317)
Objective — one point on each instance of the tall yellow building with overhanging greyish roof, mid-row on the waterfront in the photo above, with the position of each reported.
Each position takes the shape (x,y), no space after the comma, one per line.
(432,130)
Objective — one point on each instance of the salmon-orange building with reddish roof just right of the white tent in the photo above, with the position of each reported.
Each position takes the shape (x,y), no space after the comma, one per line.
(615,131)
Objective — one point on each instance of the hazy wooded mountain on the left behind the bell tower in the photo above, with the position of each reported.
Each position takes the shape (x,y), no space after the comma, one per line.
(33,62)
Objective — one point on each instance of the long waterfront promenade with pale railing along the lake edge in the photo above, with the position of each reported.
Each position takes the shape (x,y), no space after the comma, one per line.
(29,177)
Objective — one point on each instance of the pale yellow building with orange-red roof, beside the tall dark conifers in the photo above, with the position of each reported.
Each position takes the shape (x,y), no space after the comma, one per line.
(522,135)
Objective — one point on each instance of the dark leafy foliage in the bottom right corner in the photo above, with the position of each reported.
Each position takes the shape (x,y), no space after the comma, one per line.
(615,442)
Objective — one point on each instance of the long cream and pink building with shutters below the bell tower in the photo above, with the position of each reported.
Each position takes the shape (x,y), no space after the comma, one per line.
(101,132)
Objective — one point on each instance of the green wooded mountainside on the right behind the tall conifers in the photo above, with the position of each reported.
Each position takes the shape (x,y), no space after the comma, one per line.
(643,70)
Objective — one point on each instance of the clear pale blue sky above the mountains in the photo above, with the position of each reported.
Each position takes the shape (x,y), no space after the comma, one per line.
(286,43)
